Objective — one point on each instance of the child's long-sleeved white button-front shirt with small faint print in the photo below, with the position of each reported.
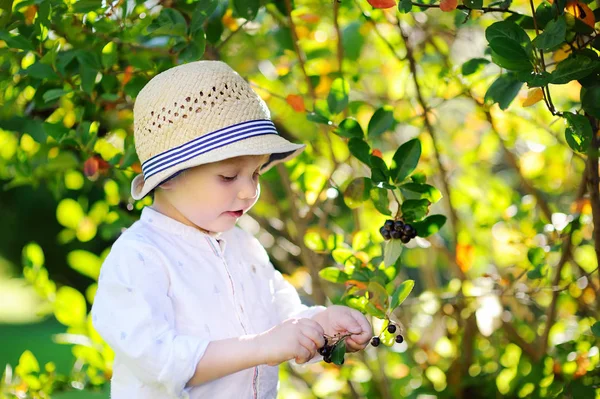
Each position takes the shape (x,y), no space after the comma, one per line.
(166,290)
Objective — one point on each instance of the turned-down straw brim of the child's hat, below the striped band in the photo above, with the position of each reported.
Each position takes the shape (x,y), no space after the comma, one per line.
(280,149)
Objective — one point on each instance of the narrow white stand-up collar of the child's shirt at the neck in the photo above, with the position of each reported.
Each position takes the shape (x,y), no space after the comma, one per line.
(189,233)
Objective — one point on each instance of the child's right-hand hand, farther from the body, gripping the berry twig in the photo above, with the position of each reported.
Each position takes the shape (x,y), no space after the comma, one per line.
(342,320)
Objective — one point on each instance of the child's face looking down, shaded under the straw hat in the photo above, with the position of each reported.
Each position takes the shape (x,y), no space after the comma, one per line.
(208,195)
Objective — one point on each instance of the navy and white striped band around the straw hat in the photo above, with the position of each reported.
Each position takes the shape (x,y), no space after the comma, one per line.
(208,142)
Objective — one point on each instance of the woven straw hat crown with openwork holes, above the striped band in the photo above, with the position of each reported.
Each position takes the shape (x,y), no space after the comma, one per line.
(188,101)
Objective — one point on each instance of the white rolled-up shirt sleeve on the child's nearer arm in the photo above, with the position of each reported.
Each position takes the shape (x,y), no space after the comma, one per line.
(134,315)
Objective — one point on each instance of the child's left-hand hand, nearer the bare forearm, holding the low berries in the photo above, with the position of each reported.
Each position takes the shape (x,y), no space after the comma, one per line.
(293,339)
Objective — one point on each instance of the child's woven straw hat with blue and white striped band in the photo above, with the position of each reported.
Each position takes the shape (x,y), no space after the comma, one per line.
(198,113)
